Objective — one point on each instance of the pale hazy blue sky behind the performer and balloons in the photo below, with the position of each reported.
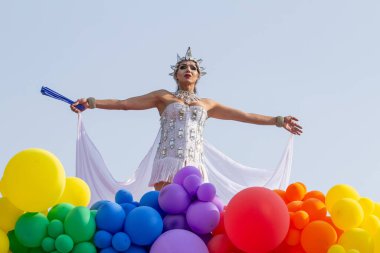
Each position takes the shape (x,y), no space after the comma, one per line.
(316,60)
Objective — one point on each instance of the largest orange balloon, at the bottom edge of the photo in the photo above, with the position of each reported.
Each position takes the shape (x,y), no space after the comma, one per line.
(318,237)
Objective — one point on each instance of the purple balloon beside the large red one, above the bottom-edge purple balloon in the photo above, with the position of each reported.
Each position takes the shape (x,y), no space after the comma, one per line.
(202,217)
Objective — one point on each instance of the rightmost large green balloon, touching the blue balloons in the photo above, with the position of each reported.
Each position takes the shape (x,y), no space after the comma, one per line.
(80,224)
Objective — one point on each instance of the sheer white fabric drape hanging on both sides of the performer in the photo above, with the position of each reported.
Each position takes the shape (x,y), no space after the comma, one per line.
(228,176)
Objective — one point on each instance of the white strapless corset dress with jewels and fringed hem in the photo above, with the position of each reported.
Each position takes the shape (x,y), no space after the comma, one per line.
(181,141)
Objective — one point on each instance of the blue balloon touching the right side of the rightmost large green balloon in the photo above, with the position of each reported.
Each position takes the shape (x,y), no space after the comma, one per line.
(110,217)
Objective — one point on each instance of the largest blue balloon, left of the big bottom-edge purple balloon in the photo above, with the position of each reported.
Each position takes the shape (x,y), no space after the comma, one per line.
(144,225)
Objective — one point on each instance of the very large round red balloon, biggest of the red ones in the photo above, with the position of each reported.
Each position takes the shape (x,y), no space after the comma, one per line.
(256,220)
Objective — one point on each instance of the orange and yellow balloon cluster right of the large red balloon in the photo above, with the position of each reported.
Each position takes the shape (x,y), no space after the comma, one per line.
(353,223)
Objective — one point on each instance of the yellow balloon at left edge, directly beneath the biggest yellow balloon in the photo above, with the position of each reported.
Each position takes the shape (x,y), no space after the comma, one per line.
(9,214)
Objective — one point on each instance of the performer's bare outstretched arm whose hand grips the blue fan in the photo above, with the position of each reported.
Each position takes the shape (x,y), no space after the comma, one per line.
(143,102)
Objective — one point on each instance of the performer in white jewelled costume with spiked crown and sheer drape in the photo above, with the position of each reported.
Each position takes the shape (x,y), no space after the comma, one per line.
(180,141)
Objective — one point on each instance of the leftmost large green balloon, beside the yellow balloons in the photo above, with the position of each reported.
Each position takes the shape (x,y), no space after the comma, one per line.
(31,229)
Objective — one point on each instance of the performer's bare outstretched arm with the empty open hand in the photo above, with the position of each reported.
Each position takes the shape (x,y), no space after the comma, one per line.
(219,111)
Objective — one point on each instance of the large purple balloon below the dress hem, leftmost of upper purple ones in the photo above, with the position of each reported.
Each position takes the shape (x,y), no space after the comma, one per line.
(173,199)
